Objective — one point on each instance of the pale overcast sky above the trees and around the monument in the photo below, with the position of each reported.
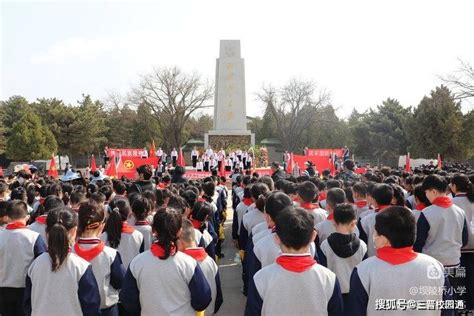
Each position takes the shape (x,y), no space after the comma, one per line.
(362,52)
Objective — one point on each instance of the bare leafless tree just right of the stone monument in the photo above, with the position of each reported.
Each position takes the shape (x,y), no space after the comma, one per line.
(293,106)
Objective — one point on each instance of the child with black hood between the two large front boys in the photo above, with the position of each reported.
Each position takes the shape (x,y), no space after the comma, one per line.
(342,251)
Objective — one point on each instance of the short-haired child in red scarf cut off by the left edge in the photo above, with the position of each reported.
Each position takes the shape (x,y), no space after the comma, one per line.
(19,246)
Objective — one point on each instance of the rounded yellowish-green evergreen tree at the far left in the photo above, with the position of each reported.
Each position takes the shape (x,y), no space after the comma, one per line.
(30,139)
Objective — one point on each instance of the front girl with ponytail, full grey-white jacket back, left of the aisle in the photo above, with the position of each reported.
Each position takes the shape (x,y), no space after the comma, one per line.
(180,287)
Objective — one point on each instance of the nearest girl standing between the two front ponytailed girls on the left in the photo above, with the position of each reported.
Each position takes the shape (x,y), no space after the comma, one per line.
(106,261)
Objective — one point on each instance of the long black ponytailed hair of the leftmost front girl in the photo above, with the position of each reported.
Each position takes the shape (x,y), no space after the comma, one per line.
(59,222)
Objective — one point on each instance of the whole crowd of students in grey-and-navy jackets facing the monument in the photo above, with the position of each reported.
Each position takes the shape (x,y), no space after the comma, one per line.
(387,242)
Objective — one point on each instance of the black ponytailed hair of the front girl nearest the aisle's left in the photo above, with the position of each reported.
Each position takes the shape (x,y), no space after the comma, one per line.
(166,224)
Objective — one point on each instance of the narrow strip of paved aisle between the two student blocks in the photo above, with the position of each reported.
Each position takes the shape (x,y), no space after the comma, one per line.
(230,271)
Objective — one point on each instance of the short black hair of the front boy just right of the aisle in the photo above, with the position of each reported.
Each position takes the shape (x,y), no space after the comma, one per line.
(294,227)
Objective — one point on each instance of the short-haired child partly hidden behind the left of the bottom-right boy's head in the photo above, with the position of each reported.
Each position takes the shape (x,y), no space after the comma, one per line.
(382,195)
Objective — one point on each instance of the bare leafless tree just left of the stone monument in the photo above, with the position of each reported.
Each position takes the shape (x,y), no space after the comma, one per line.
(173,97)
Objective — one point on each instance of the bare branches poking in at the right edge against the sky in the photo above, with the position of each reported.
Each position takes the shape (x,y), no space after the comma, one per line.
(462,81)
